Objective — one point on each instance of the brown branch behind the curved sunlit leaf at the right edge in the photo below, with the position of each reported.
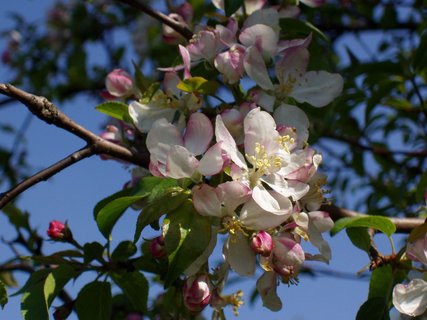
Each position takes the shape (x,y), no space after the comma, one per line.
(403,225)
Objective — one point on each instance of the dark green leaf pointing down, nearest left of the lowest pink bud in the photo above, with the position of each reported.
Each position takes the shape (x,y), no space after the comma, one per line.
(135,287)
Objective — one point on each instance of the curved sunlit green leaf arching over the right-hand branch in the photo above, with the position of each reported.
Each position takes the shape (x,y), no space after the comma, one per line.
(380,223)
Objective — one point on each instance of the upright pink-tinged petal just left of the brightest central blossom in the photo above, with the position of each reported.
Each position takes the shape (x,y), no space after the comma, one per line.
(198,134)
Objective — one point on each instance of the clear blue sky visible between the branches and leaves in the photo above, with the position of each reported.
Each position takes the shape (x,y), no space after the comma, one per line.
(72,194)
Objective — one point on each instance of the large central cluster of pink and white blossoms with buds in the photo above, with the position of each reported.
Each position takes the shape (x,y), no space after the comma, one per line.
(246,163)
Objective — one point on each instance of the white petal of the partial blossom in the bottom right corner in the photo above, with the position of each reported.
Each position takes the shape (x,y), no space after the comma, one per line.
(411,299)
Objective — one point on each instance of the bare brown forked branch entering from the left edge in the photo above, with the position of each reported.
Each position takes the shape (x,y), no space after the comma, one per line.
(49,113)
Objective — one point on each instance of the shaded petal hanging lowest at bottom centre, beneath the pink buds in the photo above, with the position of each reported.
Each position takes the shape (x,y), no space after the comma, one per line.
(266,286)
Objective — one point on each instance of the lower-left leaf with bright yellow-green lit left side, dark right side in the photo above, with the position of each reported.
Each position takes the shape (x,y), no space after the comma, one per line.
(56,281)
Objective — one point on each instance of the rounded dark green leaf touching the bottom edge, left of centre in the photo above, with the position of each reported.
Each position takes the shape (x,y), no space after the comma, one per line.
(94,301)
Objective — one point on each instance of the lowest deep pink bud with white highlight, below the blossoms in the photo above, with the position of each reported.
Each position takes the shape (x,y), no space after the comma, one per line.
(197,293)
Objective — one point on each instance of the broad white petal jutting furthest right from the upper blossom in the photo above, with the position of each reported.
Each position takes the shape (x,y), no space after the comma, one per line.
(318,88)
